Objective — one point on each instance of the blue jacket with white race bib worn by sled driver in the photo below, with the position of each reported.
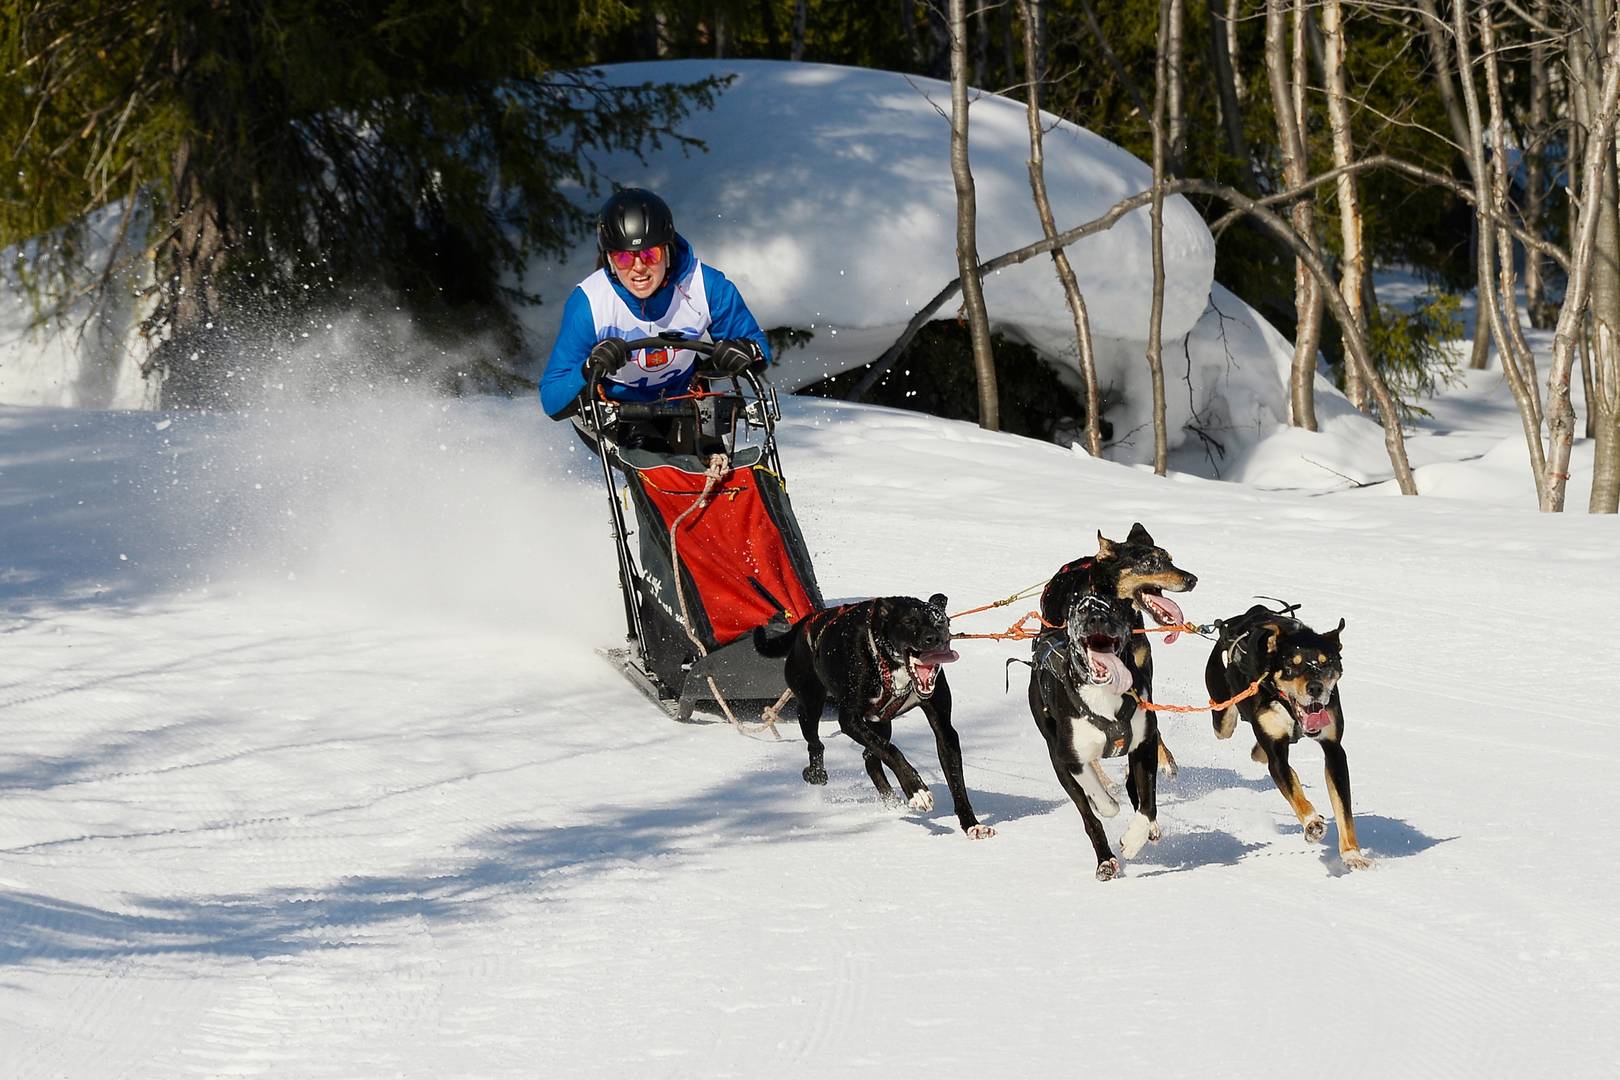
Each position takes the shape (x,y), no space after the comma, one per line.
(696,300)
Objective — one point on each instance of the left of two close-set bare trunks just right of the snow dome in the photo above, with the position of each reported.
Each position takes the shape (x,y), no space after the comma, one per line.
(1308,300)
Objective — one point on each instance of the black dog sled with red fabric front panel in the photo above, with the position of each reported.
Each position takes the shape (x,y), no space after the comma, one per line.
(707,540)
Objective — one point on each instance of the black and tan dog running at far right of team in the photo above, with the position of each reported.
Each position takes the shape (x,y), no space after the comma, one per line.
(1298,673)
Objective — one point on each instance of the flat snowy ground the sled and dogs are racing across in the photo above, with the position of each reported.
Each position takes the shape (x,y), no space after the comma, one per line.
(323,780)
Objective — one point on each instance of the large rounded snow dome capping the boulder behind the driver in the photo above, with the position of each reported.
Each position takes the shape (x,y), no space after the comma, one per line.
(827,197)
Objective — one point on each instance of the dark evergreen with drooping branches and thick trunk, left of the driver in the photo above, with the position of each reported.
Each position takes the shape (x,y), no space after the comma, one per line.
(275,153)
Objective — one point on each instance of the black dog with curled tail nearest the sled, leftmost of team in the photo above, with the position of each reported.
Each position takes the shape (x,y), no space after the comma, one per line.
(877,660)
